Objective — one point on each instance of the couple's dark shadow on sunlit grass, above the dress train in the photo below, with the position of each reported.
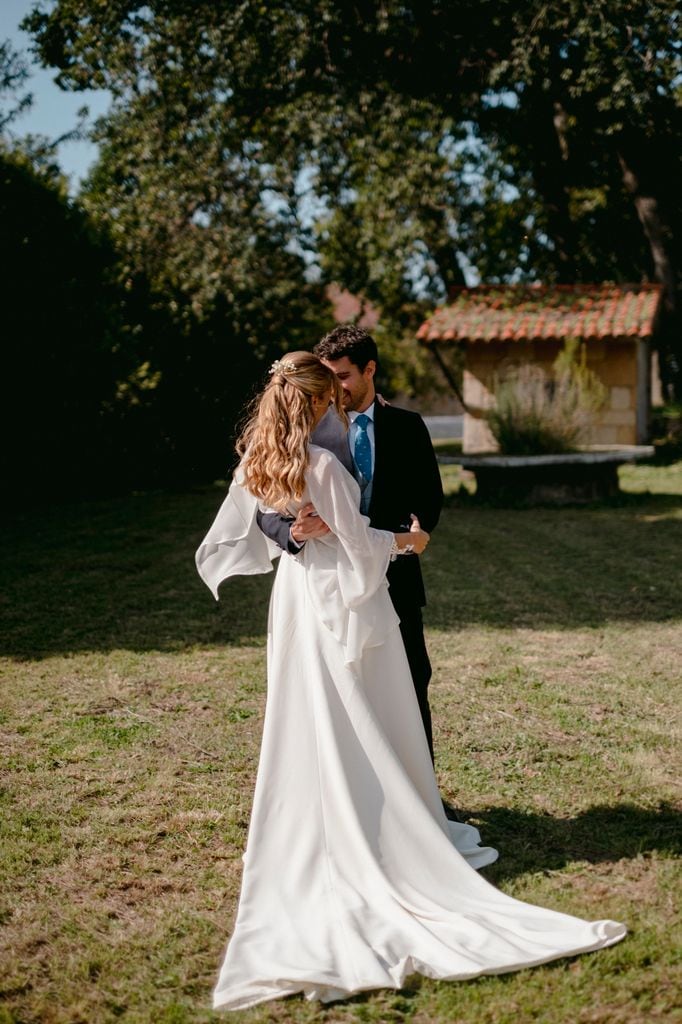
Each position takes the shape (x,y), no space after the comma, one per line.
(530,842)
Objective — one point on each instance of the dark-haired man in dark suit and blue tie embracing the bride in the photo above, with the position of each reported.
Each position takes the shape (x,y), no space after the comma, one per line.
(390,452)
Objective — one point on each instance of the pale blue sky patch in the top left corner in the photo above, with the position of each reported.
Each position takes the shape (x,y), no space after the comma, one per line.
(55,112)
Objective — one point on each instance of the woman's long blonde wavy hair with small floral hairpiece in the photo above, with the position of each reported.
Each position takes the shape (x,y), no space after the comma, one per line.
(274,445)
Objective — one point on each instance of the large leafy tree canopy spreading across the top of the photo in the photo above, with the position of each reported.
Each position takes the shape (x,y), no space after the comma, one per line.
(403,142)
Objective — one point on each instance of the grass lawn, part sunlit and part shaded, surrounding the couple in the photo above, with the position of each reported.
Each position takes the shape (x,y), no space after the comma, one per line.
(131,722)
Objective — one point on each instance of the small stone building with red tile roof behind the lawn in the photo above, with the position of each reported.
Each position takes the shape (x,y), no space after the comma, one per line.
(502,325)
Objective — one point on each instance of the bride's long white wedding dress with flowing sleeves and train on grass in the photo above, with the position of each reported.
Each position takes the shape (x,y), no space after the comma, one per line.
(354,879)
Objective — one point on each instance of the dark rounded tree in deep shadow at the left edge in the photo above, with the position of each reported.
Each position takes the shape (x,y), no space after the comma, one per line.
(60,359)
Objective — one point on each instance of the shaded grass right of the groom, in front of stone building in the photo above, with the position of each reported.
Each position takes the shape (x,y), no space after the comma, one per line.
(558,569)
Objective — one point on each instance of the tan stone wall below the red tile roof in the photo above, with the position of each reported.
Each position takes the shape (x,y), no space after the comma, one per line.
(623,419)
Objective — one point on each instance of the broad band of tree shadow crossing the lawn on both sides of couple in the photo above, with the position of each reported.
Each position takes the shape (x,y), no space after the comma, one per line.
(120,574)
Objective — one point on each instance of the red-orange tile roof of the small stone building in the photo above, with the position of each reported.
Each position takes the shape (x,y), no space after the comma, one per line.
(527,313)
